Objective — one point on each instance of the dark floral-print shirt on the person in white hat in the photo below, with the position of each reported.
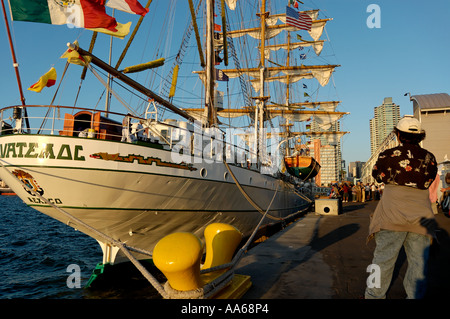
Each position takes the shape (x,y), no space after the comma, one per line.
(407,165)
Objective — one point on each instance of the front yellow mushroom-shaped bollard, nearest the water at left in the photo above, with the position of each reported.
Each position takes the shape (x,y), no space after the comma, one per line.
(178,257)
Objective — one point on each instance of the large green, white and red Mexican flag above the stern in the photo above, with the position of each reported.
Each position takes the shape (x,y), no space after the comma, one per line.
(89,14)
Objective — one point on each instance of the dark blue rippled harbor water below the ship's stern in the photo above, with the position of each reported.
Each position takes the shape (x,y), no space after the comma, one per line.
(38,255)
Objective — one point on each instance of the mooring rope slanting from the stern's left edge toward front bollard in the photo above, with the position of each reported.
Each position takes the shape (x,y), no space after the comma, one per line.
(105,237)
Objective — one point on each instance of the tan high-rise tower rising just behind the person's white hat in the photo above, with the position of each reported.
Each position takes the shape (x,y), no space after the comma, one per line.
(386,116)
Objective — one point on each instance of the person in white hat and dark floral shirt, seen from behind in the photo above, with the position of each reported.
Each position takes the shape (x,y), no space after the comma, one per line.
(403,216)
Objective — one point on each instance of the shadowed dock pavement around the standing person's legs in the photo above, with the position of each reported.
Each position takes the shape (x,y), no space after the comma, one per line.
(326,257)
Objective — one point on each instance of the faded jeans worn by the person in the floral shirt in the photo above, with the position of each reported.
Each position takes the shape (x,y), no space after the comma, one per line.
(388,245)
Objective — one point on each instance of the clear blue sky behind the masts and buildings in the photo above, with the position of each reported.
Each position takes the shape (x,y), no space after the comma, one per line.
(406,51)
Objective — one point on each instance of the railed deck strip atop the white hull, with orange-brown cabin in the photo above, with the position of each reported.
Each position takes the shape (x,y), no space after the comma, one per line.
(106,125)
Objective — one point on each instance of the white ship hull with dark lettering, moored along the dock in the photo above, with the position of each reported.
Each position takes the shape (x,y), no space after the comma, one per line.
(137,194)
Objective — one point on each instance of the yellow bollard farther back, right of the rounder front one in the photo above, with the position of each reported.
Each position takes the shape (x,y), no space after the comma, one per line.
(221,242)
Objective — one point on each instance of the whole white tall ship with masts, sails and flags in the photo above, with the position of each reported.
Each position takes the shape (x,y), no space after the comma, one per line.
(165,166)
